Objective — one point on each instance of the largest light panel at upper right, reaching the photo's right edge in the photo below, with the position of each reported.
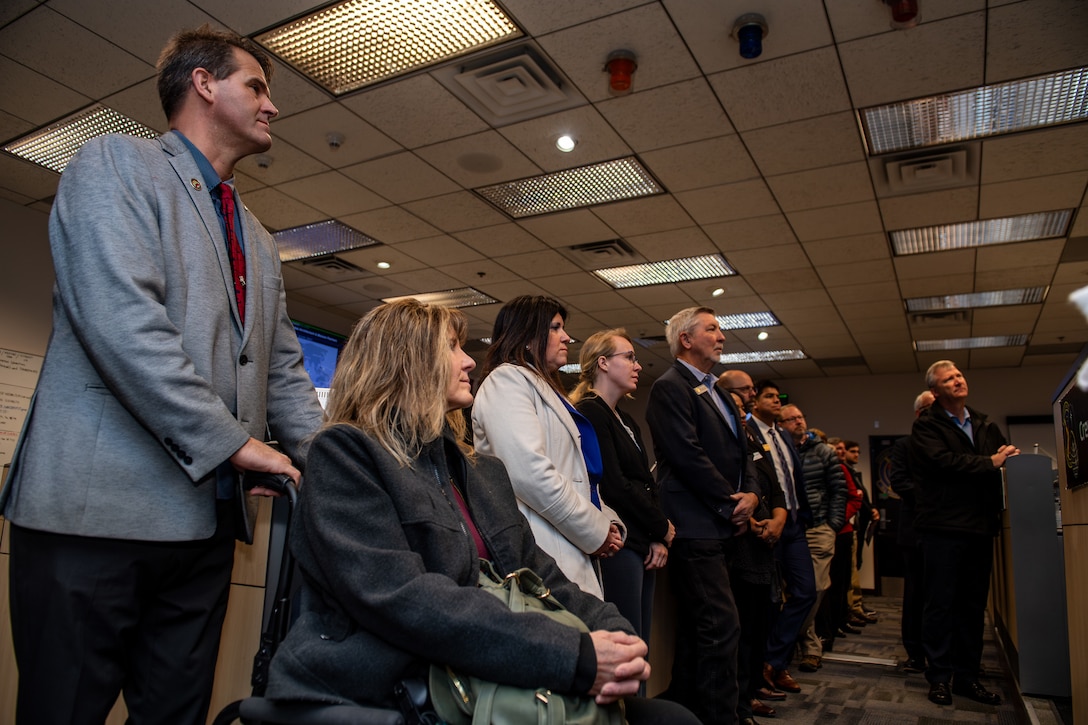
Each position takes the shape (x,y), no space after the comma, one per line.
(1045,101)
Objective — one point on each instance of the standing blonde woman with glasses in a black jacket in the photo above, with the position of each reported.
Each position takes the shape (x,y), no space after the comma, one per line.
(610,372)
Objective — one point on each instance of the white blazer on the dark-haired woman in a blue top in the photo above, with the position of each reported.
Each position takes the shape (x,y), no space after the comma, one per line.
(518,419)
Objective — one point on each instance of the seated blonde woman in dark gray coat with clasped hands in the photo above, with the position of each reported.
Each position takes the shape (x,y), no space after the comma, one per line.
(392,521)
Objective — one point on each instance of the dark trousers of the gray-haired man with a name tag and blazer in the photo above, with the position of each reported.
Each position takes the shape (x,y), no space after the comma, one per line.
(704,669)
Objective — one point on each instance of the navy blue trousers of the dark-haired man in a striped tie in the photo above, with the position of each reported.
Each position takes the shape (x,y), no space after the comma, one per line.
(796,563)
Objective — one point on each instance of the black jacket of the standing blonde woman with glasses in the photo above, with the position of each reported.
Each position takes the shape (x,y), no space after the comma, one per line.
(626,485)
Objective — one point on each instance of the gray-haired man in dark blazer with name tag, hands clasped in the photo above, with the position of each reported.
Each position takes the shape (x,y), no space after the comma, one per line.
(708,494)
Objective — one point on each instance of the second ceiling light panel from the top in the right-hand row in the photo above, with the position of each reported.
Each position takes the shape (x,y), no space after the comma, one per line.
(1025,228)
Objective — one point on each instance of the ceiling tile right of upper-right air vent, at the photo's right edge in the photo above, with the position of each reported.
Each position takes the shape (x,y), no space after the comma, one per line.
(1025,156)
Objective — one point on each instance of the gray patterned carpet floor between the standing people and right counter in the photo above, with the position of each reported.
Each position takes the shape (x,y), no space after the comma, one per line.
(861,682)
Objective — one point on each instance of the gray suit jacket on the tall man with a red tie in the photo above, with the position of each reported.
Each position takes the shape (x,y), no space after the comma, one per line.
(150,382)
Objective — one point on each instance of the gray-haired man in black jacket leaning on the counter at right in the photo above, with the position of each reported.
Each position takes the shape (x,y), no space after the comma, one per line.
(956,460)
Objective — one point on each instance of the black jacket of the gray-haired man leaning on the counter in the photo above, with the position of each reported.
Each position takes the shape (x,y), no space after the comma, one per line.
(959,490)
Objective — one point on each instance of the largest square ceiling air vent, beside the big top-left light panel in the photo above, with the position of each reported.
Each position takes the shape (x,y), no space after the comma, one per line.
(512,85)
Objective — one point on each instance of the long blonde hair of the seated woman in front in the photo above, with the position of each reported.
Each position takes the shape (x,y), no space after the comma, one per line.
(393,377)
